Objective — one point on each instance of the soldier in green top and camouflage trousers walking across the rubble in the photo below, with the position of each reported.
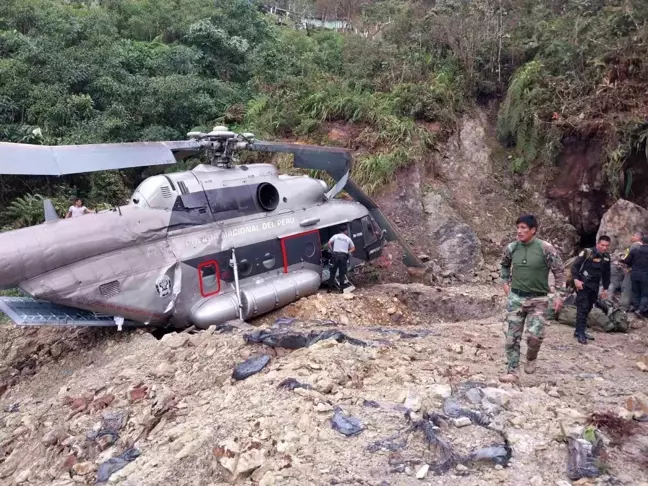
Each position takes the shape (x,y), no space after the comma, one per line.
(525,274)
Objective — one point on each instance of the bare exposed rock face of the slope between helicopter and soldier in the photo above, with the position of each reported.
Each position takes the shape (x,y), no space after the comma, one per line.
(459,206)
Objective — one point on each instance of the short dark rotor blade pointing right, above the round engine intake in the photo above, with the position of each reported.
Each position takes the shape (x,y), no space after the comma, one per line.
(335,161)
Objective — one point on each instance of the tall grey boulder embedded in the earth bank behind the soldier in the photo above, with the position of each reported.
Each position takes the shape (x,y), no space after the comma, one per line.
(451,239)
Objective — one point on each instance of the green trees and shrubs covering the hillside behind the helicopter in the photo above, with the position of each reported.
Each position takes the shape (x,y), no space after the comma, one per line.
(82,71)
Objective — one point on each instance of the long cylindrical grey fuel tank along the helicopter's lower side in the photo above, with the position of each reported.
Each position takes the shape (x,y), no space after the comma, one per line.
(258,299)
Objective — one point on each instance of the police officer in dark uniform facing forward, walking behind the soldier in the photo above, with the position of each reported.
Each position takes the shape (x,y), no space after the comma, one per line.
(591,266)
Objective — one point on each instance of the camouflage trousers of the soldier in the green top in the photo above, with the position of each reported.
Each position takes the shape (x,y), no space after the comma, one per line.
(521,310)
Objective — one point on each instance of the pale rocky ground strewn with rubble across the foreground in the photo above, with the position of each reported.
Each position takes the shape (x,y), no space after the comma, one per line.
(73,399)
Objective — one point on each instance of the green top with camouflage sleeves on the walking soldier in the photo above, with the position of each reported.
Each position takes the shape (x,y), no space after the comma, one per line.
(533,262)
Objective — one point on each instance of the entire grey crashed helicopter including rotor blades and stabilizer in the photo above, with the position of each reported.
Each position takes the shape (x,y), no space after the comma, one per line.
(222,241)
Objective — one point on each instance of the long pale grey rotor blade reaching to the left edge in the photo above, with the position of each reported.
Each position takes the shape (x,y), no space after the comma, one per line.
(26,159)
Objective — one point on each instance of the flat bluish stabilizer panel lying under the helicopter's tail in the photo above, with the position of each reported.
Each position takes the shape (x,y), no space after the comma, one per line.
(25,311)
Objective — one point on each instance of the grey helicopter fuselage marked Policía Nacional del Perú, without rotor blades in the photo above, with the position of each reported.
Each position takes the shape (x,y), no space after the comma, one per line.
(198,247)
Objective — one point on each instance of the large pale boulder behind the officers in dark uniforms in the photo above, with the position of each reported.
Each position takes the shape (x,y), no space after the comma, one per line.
(620,221)
